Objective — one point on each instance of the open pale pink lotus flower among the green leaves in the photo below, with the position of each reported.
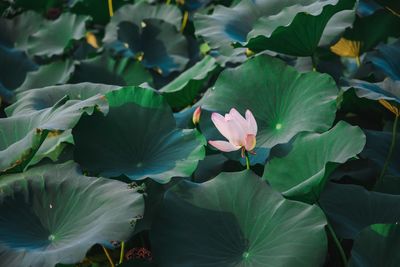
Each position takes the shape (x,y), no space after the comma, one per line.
(240,132)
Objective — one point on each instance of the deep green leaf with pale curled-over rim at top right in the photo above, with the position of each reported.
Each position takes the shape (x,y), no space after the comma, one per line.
(285,32)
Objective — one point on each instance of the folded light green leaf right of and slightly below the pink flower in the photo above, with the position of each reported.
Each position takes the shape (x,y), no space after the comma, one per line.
(306,177)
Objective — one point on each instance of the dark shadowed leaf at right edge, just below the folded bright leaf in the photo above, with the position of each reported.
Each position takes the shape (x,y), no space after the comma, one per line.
(351,208)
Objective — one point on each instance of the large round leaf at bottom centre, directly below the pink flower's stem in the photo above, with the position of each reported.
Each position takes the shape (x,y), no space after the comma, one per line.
(236,219)
